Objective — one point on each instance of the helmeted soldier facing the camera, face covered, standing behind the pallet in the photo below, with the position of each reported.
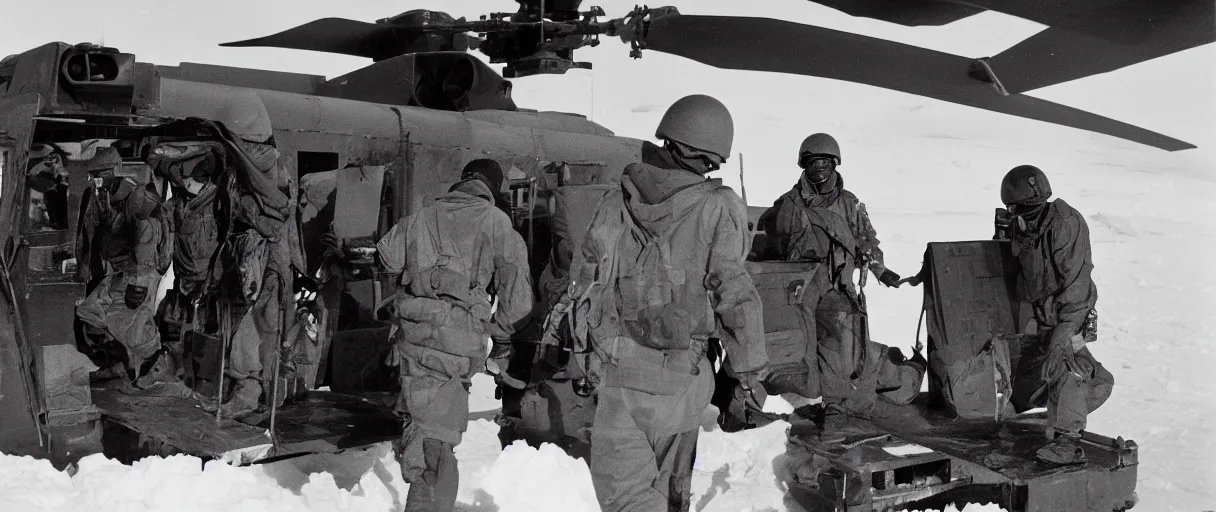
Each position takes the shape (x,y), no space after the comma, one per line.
(821,221)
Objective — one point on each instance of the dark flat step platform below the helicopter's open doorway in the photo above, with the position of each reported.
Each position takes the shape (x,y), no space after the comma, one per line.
(136,427)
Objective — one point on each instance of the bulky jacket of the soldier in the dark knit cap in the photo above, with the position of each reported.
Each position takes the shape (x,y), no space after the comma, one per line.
(452,256)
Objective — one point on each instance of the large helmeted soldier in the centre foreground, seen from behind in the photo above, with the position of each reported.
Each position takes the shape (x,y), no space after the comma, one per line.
(662,266)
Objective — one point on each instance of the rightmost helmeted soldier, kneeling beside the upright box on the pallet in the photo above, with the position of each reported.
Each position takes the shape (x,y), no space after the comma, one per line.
(1051,243)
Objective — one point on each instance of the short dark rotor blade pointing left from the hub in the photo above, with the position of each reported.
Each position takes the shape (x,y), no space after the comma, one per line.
(337,36)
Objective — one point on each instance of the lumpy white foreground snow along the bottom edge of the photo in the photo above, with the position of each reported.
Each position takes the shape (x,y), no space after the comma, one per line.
(734,472)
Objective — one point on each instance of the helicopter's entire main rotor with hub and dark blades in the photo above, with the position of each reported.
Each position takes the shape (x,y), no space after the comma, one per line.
(543,37)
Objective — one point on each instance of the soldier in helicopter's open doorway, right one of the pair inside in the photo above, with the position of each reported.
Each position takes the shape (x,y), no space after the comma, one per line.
(262,247)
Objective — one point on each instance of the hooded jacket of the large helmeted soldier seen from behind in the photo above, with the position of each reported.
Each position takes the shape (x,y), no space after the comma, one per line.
(706,233)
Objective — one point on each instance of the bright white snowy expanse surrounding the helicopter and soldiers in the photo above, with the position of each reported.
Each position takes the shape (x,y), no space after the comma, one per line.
(927,172)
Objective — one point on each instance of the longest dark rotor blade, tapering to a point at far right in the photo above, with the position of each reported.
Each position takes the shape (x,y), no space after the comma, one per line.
(781,47)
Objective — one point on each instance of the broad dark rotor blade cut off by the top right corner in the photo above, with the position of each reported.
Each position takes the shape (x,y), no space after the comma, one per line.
(1060,55)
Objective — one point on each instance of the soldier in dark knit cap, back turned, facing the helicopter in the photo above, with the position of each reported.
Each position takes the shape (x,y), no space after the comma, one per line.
(452,258)
